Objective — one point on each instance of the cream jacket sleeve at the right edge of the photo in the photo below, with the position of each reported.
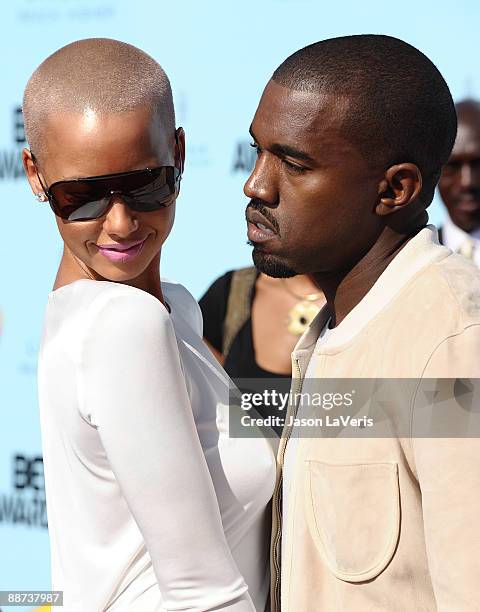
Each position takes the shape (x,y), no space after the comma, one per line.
(448,471)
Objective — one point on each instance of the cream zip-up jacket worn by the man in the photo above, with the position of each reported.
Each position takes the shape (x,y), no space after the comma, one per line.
(388,524)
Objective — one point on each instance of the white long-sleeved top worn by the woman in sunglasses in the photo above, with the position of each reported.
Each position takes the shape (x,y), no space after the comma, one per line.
(150,505)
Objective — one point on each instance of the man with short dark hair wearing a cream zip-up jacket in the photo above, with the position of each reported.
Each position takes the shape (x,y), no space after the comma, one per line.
(351,135)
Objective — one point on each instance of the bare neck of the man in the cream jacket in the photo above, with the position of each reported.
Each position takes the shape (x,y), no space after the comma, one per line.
(345,290)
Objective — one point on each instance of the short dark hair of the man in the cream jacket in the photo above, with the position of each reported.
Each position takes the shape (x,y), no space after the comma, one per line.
(400,107)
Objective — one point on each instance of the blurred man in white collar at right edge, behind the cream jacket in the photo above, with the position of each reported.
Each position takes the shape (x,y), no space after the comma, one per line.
(459,185)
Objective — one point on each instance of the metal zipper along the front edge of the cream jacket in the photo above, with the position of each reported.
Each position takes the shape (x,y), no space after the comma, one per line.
(277,497)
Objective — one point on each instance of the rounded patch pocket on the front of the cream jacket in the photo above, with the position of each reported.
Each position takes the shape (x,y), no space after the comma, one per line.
(353,514)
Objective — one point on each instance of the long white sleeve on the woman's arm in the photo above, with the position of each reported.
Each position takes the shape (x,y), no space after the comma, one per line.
(132,389)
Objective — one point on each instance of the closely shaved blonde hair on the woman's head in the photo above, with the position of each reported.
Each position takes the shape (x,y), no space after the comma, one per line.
(95,76)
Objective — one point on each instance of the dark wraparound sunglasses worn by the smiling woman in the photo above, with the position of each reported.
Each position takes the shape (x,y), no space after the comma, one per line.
(88,198)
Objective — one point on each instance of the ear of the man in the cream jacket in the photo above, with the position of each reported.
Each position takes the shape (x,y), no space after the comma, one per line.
(400,186)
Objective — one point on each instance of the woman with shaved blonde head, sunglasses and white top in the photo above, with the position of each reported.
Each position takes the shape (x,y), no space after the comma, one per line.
(150,506)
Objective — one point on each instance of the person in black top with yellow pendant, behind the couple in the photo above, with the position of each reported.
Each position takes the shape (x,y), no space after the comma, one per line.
(252,322)
